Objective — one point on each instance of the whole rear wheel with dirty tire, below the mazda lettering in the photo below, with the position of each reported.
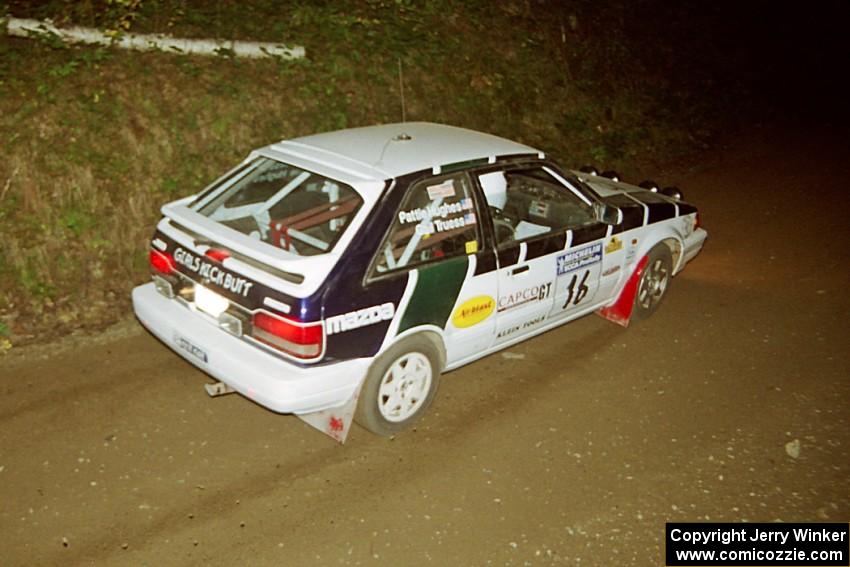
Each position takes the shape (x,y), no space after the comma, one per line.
(399,387)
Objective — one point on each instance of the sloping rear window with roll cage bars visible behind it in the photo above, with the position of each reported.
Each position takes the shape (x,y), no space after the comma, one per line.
(283,205)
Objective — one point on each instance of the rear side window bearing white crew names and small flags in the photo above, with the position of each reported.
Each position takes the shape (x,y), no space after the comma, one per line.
(436,220)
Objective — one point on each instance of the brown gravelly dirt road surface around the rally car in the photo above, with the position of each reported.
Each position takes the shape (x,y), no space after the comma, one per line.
(729,404)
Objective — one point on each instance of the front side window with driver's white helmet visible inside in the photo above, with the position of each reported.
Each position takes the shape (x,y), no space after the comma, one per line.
(526,202)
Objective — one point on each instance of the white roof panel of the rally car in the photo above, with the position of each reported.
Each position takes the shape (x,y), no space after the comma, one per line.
(390,150)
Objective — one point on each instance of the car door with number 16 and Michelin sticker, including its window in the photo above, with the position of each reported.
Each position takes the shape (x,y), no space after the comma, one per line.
(536,212)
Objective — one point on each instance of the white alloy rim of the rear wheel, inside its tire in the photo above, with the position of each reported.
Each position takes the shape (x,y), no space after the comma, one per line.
(405,387)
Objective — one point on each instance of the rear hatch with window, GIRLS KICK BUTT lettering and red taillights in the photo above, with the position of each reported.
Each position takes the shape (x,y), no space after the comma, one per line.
(250,251)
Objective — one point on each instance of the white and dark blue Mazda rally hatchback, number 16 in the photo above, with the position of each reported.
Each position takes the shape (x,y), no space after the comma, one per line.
(336,276)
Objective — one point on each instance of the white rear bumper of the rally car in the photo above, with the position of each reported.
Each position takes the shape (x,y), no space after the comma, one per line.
(271,382)
